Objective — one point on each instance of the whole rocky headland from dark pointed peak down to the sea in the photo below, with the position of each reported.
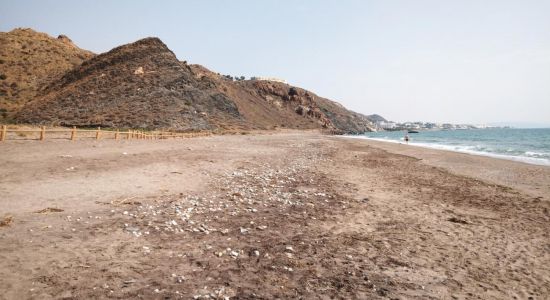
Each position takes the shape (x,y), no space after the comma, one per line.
(143,85)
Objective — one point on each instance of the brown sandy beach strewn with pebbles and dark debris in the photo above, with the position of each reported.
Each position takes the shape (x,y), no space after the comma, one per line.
(289,215)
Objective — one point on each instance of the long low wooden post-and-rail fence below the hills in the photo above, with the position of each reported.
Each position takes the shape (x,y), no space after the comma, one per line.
(73,134)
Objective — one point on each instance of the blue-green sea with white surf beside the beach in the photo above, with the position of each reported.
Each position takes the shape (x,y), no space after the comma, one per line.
(519,144)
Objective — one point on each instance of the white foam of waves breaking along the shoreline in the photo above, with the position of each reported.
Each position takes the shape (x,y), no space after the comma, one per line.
(468,150)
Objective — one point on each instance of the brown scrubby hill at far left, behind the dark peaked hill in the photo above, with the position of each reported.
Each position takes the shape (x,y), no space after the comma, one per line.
(29,61)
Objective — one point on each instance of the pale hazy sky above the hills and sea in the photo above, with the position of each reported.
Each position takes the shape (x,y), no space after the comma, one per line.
(445,61)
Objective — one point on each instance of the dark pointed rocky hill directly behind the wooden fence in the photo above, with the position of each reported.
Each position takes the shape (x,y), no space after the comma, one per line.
(139,85)
